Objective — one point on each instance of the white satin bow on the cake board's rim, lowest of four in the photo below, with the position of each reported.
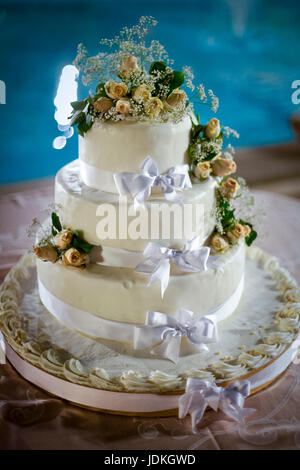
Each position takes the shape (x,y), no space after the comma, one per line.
(200,393)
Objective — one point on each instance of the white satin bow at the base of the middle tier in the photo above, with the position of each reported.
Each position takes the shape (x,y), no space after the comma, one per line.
(157,264)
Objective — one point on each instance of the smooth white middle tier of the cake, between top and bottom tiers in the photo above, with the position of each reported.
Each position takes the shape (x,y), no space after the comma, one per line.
(80,207)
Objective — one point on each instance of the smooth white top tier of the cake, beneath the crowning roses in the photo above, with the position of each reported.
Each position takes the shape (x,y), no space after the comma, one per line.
(113,147)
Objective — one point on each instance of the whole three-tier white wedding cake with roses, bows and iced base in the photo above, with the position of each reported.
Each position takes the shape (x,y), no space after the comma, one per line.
(145,250)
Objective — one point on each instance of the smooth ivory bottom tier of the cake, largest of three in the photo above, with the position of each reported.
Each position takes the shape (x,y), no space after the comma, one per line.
(122,295)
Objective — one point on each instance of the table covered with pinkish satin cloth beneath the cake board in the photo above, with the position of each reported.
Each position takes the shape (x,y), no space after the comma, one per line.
(30,419)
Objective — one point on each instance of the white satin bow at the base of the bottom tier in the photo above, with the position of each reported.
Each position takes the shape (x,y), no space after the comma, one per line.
(168,332)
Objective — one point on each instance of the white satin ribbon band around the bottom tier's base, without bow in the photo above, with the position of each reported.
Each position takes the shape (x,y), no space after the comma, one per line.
(101,328)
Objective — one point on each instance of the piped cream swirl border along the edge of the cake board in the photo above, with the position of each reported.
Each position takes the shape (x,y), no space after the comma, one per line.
(286,328)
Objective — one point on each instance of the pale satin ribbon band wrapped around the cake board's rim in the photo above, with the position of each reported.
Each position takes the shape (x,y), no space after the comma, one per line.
(136,404)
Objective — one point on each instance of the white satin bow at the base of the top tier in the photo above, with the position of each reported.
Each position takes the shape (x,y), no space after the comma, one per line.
(139,185)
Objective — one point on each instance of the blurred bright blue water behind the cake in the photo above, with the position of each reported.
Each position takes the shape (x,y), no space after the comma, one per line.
(247,51)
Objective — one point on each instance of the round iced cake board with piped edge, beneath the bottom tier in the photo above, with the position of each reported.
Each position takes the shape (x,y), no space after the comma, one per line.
(257,342)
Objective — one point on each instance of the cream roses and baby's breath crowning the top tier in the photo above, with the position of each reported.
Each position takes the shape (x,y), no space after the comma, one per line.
(134,81)
